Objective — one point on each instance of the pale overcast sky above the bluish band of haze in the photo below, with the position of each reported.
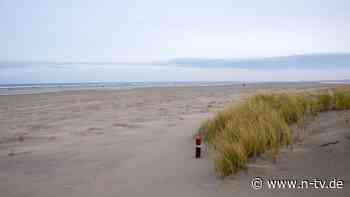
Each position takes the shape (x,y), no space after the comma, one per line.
(148,30)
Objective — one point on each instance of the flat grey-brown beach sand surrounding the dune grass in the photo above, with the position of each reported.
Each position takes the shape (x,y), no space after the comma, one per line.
(139,143)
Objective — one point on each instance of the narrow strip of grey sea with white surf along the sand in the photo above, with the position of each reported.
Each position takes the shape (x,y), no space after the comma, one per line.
(35,88)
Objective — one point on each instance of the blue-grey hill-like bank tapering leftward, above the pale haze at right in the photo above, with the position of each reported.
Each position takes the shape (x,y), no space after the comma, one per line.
(314,61)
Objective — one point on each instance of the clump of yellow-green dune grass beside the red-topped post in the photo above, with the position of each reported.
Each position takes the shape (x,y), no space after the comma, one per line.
(261,123)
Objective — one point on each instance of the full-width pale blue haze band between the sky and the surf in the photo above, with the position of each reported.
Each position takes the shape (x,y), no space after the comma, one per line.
(294,68)
